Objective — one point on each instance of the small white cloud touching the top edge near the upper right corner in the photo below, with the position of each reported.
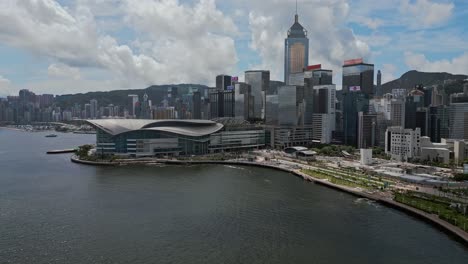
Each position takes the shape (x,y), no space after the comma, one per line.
(425,13)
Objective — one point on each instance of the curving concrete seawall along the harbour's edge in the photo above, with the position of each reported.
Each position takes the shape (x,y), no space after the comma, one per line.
(456,232)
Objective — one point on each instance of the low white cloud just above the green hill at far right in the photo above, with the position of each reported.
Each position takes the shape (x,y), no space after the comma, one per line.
(417,61)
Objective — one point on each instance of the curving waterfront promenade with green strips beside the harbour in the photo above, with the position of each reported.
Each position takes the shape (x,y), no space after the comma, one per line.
(296,169)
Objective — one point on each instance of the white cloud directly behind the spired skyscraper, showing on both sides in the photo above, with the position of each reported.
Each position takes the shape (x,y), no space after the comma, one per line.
(330,41)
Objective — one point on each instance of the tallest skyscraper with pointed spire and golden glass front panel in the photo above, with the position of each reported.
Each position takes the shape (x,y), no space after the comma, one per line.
(296,49)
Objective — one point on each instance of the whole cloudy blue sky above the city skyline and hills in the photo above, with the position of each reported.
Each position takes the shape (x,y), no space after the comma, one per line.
(77,46)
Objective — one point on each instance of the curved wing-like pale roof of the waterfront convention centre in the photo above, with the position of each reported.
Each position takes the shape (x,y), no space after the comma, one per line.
(195,128)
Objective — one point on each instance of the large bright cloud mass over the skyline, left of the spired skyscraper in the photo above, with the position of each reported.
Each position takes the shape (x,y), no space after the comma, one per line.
(190,43)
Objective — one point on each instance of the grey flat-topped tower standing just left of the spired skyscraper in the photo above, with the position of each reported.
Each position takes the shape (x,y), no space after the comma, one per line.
(259,82)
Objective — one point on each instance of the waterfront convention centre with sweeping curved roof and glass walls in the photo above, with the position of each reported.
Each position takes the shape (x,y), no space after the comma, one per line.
(148,138)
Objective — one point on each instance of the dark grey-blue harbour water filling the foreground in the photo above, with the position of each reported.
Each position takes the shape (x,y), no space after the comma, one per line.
(55,211)
